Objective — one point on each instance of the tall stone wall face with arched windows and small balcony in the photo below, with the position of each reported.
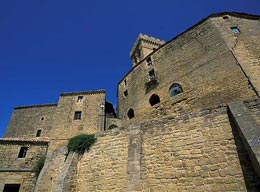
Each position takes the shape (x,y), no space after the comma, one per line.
(200,61)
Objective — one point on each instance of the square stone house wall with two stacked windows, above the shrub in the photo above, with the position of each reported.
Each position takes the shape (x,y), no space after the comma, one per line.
(65,126)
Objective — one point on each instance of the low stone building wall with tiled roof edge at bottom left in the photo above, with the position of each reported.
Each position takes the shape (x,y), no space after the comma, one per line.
(14,170)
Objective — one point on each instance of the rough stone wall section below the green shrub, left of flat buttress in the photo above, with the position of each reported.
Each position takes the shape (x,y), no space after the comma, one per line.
(104,167)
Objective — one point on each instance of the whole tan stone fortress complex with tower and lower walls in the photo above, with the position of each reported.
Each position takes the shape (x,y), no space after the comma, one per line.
(188,119)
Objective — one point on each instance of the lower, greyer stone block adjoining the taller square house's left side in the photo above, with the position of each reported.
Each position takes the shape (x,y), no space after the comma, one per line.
(25,121)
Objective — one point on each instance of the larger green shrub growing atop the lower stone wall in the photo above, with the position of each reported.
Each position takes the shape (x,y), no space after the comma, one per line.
(81,143)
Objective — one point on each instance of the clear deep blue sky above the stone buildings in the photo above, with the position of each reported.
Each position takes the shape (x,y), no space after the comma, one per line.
(52,46)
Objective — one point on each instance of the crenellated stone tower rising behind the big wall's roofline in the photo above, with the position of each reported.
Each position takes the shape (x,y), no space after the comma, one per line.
(143,46)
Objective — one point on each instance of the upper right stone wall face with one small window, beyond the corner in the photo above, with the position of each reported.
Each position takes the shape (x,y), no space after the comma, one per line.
(244,45)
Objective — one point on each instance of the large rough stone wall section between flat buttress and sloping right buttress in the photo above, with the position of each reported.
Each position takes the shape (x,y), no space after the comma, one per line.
(192,152)
